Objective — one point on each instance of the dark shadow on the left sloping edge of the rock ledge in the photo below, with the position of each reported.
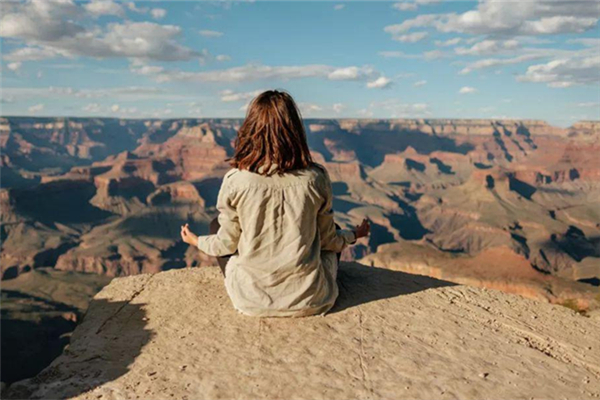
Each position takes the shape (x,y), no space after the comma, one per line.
(99,353)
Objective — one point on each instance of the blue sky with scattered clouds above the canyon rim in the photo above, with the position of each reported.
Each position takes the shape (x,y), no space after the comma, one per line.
(409,59)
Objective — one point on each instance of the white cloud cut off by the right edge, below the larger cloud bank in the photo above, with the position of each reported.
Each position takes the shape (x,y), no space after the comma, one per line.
(561,73)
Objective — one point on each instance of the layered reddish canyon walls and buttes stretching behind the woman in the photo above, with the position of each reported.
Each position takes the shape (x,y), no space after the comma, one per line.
(107,195)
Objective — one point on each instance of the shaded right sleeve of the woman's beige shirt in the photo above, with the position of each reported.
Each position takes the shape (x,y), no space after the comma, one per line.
(332,239)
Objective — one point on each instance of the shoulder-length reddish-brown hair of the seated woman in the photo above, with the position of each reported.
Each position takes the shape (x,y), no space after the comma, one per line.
(272,136)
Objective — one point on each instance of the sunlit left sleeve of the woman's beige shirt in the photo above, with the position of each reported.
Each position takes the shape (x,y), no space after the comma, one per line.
(225,241)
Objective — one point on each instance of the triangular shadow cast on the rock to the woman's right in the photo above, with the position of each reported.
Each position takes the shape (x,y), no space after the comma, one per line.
(360,284)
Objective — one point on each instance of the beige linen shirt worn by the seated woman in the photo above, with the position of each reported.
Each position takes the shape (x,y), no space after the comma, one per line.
(282,232)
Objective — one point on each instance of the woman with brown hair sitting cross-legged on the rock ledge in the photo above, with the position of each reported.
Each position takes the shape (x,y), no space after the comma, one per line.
(275,238)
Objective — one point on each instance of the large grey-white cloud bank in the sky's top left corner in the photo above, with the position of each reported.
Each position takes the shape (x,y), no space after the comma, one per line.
(53,29)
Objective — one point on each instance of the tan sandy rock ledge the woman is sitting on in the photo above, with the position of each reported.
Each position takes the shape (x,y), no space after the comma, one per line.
(391,335)
